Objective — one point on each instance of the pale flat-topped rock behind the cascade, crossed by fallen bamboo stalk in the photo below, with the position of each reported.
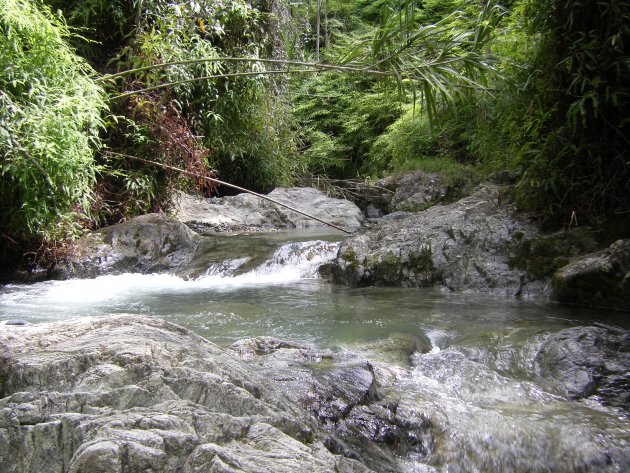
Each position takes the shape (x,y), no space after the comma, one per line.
(248,212)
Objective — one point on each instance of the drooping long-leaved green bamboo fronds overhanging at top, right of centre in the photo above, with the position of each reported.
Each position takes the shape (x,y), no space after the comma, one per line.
(437,62)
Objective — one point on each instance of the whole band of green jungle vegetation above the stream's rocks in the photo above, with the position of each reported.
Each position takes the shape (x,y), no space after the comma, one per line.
(263,93)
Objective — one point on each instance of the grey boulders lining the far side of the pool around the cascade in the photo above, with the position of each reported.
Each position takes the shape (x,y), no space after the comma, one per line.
(476,244)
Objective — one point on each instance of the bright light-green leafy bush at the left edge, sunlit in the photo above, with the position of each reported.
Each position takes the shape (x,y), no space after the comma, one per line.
(50,119)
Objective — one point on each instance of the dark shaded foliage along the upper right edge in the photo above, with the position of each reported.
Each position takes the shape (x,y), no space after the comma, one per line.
(575,155)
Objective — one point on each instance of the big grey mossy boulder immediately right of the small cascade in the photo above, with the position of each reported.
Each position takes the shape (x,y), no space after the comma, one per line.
(464,246)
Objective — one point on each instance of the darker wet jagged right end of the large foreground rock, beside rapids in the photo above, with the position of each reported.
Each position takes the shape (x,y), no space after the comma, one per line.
(342,391)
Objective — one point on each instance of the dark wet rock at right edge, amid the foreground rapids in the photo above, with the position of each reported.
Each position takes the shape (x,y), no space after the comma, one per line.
(587,361)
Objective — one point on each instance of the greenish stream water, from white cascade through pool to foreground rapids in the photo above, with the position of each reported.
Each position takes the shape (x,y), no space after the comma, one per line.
(474,380)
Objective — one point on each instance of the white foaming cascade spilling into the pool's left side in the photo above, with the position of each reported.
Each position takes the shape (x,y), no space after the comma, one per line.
(291,262)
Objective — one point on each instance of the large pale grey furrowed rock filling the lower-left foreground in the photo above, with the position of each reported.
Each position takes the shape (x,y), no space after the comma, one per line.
(130,393)
